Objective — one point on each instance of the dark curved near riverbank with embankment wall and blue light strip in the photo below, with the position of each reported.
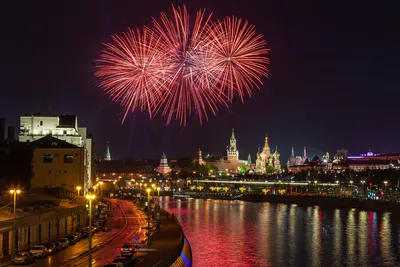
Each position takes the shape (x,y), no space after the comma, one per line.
(169,246)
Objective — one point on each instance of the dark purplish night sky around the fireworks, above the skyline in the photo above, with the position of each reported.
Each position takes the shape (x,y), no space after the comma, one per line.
(334,75)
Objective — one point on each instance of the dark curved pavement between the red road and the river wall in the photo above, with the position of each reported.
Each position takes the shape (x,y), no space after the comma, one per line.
(164,242)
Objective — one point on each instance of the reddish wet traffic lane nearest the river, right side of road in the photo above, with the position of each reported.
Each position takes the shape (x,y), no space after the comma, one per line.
(106,254)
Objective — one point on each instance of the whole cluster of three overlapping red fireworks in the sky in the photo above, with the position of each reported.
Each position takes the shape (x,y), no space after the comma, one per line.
(183,65)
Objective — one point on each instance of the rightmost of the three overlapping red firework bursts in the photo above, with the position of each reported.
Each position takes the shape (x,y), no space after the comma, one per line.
(239,56)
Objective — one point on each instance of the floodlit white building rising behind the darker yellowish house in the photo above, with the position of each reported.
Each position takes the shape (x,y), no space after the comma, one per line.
(36,126)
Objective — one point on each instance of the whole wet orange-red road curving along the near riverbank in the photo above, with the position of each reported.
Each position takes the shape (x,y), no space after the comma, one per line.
(106,253)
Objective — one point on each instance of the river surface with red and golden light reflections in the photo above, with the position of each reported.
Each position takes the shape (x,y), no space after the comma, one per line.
(235,233)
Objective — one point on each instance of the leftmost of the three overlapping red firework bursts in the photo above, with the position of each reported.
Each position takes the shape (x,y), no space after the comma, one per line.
(131,71)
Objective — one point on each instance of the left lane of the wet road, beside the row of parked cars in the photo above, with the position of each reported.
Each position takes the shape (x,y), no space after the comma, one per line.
(73,251)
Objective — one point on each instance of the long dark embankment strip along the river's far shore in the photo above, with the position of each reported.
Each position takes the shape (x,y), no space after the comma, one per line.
(322,201)
